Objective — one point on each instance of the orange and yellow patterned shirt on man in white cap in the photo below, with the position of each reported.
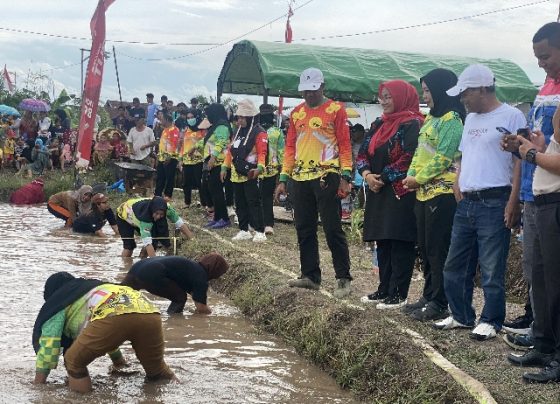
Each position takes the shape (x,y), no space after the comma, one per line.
(318,142)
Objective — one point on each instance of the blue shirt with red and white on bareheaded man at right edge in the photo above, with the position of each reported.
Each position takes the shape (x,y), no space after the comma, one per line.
(539,118)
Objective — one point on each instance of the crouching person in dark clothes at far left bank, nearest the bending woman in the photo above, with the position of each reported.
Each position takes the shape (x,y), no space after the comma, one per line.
(101,213)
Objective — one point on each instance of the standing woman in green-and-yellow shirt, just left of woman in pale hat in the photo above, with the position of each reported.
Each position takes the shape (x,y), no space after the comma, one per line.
(214,145)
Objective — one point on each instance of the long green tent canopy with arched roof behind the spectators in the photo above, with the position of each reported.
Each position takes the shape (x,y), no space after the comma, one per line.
(351,75)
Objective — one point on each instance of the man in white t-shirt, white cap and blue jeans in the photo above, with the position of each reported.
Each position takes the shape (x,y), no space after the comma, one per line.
(489,181)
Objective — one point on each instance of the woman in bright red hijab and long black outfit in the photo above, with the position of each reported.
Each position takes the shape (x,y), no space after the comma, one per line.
(389,220)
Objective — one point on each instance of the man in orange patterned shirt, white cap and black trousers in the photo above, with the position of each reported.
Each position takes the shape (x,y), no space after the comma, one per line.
(318,158)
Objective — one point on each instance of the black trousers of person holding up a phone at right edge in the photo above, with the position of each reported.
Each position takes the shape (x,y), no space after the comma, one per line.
(546,280)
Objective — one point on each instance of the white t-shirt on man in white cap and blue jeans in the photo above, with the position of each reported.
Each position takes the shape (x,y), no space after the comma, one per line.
(484,164)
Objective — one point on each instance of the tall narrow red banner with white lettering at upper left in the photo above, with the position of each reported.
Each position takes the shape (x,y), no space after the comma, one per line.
(92,86)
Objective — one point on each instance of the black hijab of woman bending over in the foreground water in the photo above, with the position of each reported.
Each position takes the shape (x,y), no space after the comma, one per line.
(61,290)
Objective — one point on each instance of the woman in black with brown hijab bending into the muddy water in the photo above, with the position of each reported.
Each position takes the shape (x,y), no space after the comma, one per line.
(173,277)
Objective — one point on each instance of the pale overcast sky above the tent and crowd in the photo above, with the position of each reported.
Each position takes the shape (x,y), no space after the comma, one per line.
(504,35)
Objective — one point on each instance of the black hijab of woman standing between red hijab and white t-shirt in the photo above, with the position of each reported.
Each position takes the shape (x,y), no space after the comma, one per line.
(439,81)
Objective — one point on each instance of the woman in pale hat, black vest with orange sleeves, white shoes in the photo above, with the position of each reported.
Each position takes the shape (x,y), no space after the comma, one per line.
(246,158)
